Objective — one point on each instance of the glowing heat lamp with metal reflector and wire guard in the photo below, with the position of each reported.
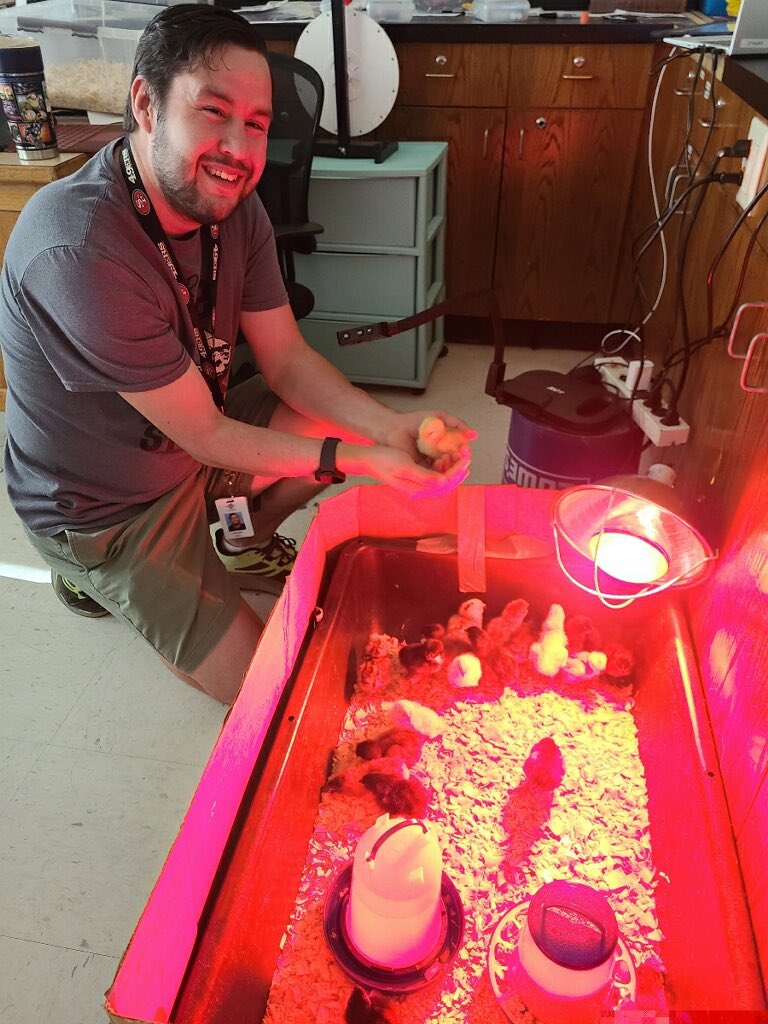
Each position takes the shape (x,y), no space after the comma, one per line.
(628,539)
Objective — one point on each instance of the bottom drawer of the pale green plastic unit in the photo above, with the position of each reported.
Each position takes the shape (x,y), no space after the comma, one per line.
(387,361)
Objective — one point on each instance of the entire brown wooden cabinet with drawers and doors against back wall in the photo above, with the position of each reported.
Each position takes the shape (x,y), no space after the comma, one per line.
(542,149)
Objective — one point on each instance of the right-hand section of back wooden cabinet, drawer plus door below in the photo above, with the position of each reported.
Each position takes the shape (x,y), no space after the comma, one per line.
(574,129)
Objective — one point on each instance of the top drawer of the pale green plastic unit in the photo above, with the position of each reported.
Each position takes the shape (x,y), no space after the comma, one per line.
(365,211)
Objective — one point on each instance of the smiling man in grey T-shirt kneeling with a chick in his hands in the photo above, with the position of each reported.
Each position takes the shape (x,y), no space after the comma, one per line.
(123,292)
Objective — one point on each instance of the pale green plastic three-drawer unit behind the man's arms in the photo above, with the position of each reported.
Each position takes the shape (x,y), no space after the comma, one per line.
(381,258)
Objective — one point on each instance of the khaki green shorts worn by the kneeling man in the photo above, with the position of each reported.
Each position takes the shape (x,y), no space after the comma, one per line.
(158,572)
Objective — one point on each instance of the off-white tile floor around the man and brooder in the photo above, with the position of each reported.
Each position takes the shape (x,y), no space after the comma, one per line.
(102,749)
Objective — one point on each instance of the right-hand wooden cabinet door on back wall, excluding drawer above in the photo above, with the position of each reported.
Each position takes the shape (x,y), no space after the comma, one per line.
(565,196)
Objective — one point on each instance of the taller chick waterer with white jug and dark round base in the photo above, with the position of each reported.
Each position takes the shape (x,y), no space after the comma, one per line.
(393,919)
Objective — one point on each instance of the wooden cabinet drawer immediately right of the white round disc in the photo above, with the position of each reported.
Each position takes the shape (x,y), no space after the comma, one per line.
(453,74)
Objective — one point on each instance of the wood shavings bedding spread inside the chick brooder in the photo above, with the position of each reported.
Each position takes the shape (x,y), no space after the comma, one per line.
(502,837)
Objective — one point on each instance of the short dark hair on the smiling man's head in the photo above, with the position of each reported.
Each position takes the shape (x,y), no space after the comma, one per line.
(181,38)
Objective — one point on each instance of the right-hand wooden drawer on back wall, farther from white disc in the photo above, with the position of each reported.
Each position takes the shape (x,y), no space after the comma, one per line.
(590,76)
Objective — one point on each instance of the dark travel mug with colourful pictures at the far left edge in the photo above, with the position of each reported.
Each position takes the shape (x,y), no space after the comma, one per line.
(25,101)
